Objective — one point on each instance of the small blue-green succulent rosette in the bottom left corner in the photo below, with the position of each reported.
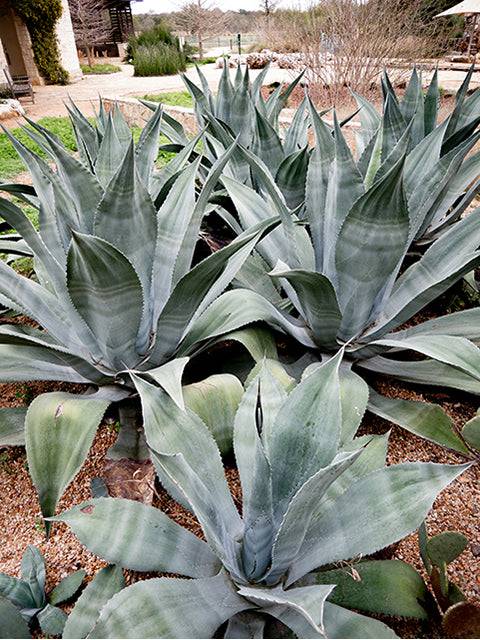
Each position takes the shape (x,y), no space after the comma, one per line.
(32,604)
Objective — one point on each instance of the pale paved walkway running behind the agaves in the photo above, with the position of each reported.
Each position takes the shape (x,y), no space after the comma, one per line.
(49,100)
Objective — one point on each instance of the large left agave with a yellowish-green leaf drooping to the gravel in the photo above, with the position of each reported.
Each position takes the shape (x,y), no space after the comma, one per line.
(117,289)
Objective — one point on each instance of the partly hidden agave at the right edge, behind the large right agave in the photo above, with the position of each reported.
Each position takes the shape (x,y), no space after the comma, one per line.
(440,181)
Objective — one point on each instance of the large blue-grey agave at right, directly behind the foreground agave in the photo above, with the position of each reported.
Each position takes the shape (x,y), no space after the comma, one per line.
(351,282)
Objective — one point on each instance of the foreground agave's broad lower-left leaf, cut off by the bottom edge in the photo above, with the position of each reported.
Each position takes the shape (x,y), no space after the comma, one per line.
(170,608)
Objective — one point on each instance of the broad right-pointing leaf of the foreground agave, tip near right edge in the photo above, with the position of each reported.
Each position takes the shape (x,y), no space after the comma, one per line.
(365,510)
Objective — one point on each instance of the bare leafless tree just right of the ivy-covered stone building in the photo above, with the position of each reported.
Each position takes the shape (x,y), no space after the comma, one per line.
(91,25)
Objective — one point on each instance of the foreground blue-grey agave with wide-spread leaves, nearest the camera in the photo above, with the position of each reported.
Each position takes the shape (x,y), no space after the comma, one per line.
(312,496)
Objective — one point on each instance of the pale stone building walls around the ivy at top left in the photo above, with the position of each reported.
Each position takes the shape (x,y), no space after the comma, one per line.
(16,50)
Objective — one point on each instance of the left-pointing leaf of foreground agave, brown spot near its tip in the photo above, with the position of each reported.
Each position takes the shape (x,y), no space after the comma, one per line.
(145,540)
